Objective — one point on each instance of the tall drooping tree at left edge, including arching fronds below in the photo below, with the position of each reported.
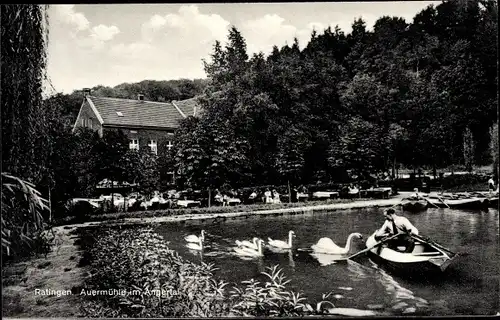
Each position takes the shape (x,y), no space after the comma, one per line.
(25,148)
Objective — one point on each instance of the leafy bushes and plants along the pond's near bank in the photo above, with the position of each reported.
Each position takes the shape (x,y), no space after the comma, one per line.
(168,286)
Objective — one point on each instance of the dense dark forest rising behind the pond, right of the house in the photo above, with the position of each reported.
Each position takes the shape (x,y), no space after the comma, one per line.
(419,94)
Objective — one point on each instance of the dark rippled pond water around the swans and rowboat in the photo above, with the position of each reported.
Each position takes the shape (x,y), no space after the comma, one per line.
(469,287)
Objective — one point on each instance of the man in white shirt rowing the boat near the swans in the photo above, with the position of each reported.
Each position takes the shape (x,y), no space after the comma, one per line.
(395,224)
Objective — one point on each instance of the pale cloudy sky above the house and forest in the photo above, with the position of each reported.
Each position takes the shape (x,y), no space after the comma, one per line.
(109,44)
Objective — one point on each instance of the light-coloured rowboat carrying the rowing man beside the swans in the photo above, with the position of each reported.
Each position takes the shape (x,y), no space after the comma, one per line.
(426,258)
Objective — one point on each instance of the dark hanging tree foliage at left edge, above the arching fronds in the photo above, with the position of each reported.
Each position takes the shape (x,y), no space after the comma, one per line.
(23,60)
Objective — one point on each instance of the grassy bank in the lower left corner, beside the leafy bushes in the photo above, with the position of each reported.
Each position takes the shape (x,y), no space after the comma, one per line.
(60,269)
